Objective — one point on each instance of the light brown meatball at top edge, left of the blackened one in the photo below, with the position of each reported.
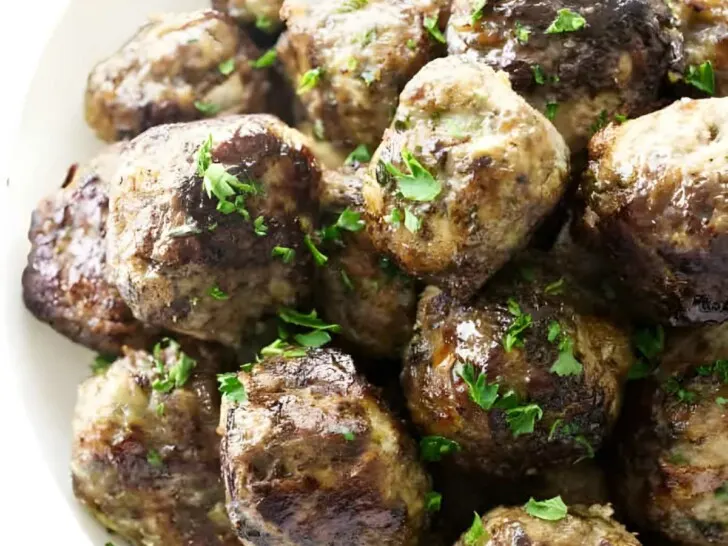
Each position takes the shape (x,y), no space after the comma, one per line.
(350,61)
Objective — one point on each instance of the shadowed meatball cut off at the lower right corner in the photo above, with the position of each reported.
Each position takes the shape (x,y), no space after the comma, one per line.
(673,458)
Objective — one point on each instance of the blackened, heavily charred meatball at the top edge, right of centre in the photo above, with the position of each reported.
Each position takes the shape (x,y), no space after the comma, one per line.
(614,65)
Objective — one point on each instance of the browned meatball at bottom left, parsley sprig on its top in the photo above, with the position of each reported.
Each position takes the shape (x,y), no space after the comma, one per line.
(145,456)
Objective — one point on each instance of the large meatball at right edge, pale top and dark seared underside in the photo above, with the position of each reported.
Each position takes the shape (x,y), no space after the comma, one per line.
(657,202)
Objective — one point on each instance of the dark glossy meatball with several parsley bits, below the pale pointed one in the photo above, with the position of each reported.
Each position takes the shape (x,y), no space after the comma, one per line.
(524,377)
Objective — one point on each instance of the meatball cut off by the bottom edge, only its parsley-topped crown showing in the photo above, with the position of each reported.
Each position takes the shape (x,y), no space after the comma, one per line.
(583,526)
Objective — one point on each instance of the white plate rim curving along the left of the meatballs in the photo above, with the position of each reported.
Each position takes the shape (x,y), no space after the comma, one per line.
(44,367)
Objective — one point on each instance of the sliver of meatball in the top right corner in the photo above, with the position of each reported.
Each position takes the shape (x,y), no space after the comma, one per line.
(704,26)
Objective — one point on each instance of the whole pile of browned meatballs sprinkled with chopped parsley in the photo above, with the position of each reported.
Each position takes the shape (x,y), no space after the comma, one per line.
(402,273)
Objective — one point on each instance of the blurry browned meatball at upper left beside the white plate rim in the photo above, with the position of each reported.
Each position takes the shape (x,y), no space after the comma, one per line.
(178,67)
